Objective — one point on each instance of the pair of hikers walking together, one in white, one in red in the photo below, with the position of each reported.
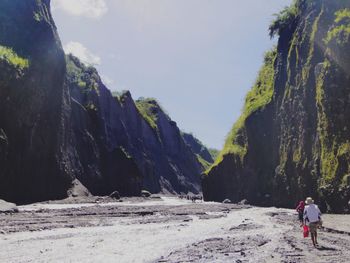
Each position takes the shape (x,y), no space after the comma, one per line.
(310,215)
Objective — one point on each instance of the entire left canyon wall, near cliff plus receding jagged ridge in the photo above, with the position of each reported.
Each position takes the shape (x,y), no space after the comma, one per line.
(60,126)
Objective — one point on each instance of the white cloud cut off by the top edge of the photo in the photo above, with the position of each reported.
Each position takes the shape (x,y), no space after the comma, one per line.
(86,8)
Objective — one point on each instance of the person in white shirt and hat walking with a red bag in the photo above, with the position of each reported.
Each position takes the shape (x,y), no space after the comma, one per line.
(312,218)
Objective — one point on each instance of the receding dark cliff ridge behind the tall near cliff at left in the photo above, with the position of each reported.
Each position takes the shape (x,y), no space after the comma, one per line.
(147,143)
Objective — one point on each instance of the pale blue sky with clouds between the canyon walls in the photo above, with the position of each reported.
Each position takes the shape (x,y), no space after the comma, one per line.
(198,58)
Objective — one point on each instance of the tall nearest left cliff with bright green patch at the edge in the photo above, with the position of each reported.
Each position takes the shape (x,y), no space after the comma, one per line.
(33,104)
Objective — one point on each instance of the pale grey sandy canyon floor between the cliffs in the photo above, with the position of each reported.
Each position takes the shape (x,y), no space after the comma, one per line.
(166,230)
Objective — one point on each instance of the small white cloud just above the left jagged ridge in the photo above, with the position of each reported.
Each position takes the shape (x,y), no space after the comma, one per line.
(80,51)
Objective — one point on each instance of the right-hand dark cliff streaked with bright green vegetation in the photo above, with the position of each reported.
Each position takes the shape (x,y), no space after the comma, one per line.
(292,139)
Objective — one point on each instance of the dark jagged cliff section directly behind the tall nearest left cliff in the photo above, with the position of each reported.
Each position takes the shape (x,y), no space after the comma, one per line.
(101,162)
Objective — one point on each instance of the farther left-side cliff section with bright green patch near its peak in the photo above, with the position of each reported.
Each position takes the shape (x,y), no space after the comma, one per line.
(175,166)
